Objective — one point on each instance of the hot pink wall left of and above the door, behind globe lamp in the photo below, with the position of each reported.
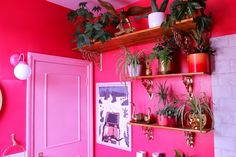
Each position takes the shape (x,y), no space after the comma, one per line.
(26,25)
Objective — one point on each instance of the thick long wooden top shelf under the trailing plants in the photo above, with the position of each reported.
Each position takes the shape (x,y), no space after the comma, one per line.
(139,37)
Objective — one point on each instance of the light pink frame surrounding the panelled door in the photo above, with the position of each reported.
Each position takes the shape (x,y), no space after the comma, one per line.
(32,59)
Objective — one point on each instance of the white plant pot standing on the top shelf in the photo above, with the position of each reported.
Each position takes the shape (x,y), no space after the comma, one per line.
(155,19)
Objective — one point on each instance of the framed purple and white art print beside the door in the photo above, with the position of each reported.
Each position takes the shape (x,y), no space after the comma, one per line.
(113,112)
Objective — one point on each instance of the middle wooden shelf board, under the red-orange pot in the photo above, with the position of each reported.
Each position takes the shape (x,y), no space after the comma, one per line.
(166,75)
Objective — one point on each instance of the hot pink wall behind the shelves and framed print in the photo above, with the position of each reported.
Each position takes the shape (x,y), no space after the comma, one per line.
(166,141)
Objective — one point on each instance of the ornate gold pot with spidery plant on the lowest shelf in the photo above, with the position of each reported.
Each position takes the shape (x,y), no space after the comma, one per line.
(194,121)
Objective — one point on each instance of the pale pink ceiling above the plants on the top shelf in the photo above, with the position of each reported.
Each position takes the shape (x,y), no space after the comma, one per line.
(73,4)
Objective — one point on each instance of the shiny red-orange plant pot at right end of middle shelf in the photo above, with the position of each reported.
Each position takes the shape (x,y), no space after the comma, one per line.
(198,62)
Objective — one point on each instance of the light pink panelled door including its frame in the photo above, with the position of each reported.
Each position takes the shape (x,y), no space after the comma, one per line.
(60,107)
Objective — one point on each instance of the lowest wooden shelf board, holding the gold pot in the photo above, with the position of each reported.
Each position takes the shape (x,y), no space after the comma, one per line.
(169,128)
